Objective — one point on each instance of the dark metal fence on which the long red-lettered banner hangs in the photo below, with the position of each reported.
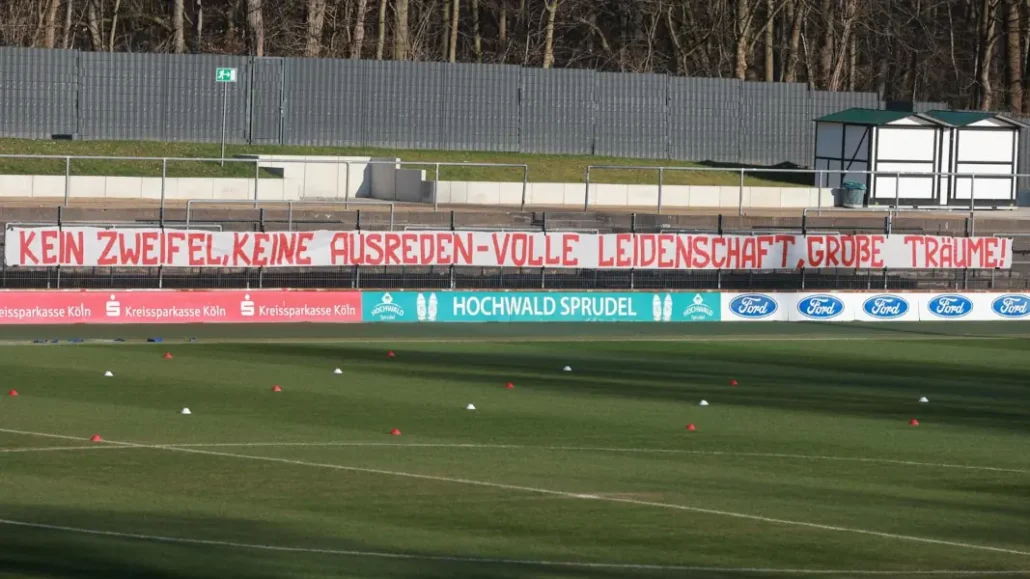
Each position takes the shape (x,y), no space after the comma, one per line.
(533,279)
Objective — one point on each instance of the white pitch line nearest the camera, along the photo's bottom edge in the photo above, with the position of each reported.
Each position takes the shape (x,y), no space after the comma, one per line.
(487,561)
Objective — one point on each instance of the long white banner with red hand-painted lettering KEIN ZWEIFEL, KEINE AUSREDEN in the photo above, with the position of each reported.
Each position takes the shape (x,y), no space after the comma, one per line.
(158,248)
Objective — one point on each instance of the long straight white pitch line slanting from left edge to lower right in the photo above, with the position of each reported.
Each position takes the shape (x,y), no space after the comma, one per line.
(520,489)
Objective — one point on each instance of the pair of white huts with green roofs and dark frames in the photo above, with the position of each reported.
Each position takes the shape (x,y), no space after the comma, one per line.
(892,144)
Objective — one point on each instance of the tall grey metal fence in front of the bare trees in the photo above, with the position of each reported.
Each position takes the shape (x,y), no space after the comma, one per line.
(329,103)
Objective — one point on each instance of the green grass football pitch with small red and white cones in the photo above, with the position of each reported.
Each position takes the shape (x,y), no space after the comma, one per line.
(809,466)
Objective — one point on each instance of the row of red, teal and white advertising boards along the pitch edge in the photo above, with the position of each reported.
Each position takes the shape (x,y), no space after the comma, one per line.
(158,306)
